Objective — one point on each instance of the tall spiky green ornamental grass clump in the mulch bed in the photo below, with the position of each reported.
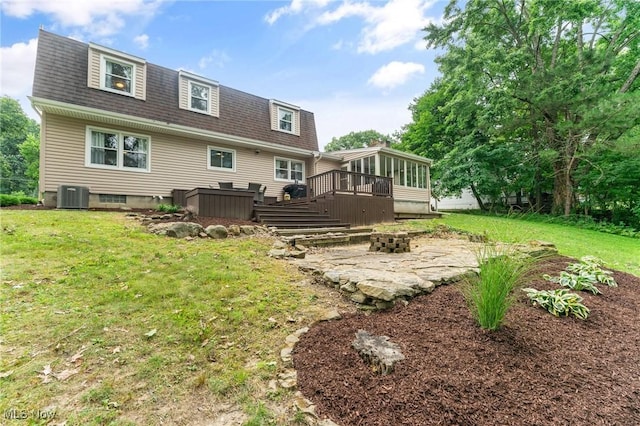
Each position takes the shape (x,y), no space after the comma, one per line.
(490,294)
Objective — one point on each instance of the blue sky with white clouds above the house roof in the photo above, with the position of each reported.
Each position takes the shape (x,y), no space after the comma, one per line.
(357,65)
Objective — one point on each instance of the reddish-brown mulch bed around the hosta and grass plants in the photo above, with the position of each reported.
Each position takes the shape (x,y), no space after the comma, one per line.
(536,370)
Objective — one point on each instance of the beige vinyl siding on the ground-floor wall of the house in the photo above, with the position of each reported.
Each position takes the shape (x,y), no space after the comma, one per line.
(175,163)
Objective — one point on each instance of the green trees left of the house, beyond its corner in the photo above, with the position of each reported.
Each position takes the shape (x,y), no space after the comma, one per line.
(19,149)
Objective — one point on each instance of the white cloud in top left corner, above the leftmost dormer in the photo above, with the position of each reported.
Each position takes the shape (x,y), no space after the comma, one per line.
(95,18)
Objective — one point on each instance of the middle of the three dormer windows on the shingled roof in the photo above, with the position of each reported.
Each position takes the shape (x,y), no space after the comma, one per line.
(199,94)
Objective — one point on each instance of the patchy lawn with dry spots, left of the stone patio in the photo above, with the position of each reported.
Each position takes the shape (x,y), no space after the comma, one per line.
(138,321)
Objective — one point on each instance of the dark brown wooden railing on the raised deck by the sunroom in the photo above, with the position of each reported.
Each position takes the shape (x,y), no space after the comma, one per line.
(344,182)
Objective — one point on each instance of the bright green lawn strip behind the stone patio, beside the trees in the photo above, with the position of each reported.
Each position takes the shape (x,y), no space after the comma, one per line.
(617,252)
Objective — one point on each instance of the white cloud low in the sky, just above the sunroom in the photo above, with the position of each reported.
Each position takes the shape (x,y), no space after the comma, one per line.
(383,114)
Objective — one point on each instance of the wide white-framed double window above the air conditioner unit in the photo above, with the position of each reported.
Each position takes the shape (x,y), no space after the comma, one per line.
(117,150)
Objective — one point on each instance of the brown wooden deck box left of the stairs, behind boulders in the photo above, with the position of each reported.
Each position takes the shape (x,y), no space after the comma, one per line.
(230,203)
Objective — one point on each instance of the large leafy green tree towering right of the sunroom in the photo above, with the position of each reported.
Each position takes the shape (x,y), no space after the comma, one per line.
(530,90)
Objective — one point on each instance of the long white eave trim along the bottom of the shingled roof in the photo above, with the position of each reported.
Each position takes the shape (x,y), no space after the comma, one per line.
(125,120)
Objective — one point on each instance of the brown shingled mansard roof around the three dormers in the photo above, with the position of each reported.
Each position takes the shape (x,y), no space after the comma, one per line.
(61,75)
